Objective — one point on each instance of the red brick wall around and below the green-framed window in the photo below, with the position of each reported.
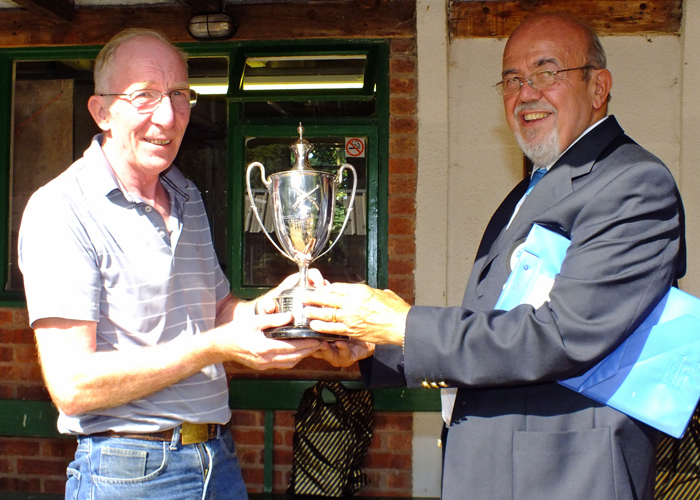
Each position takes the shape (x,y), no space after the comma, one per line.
(38,465)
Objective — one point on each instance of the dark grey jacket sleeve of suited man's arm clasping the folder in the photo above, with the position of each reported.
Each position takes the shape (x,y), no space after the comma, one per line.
(625,241)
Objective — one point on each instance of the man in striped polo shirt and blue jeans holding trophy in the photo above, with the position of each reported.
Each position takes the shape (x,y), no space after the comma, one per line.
(132,313)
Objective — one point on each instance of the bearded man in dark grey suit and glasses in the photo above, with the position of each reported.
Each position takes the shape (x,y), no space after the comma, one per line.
(514,432)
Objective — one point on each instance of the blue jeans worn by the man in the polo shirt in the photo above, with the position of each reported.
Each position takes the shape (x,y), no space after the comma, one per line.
(135,469)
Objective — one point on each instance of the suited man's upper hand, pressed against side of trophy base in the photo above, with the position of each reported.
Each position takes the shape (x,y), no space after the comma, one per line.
(362,312)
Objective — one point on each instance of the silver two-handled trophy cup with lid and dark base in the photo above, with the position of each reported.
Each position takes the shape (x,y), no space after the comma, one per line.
(303,203)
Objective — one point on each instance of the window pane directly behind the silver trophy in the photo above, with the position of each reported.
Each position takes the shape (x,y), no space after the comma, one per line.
(263,263)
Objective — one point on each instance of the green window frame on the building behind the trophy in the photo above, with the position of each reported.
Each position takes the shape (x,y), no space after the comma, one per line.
(375,128)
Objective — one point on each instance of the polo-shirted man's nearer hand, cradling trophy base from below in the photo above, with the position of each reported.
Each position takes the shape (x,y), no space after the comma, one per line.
(245,343)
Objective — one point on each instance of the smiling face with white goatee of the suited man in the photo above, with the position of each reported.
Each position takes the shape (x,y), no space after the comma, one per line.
(545,122)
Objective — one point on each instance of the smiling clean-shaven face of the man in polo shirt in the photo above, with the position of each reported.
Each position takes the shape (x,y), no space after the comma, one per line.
(142,145)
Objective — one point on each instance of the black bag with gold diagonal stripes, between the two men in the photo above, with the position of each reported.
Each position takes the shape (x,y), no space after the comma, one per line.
(330,441)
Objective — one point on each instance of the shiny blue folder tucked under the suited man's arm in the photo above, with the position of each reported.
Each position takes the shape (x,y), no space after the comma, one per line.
(654,375)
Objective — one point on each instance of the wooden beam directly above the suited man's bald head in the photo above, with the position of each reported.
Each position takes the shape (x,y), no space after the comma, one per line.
(497,19)
